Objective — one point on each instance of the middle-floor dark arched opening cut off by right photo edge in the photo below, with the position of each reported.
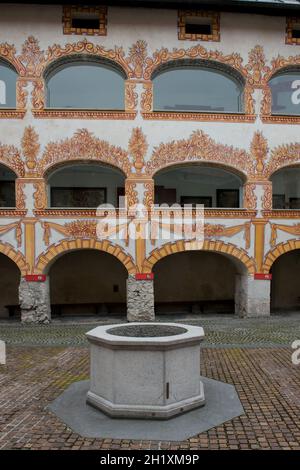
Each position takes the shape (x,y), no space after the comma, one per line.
(286,188)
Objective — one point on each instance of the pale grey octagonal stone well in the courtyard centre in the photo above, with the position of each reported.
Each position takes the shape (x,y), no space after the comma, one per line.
(145,370)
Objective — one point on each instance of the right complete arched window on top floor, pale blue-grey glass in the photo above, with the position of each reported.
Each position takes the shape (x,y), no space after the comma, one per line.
(201,88)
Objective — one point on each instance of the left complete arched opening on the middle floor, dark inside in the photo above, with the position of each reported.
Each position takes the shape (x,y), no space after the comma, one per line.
(85,185)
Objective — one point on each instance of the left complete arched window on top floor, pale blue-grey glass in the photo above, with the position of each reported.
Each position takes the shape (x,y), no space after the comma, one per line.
(85,84)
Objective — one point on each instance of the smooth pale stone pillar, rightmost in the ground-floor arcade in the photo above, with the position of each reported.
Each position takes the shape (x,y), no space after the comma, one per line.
(252,297)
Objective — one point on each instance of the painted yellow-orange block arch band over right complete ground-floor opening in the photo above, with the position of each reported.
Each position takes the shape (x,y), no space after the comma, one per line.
(208,245)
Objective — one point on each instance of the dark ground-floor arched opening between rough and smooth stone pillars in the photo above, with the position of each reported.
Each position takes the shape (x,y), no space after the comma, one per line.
(196,282)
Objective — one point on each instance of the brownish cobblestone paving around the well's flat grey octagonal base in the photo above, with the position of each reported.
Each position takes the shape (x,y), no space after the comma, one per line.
(267,382)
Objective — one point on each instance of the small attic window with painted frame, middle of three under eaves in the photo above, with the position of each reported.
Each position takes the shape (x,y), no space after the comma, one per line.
(198,25)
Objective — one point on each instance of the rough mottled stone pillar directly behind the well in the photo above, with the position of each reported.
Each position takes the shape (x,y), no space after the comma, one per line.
(140,299)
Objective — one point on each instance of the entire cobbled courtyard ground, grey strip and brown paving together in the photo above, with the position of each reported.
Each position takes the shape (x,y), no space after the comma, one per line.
(252,354)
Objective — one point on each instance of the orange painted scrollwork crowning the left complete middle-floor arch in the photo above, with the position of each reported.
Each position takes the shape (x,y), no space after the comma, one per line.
(83,146)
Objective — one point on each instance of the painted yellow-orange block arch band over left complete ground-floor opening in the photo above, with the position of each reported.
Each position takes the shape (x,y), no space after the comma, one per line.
(54,251)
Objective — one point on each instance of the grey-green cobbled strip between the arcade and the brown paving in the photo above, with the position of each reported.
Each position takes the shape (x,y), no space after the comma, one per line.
(220,330)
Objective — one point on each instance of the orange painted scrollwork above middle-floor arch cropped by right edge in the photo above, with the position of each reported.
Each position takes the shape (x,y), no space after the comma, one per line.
(282,156)
